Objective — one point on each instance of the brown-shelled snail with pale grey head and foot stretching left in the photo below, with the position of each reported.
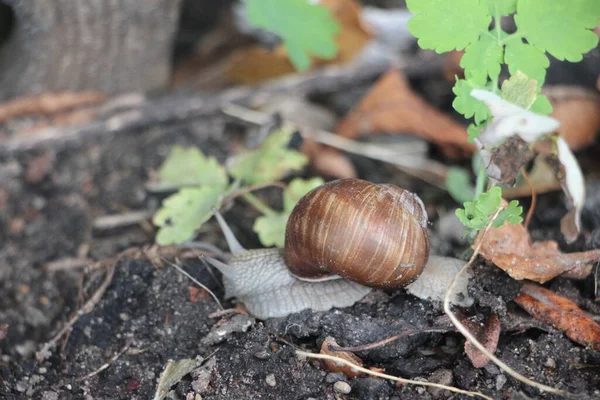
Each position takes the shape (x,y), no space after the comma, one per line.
(342,239)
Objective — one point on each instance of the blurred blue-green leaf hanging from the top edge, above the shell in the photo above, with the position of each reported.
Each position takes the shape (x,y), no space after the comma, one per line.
(306,29)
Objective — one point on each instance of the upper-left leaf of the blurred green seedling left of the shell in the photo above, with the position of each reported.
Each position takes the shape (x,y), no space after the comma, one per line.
(189,167)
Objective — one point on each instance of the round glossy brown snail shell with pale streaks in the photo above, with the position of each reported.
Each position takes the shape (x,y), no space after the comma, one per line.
(372,234)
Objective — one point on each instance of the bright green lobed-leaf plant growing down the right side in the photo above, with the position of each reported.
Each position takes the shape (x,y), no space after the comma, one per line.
(562,29)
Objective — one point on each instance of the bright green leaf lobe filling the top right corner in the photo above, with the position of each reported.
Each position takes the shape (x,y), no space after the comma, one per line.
(562,28)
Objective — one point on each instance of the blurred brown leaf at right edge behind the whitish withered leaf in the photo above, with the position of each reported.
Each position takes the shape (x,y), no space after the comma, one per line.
(578,110)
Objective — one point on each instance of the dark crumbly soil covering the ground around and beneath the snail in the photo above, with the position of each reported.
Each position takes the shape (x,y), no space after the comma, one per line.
(150,307)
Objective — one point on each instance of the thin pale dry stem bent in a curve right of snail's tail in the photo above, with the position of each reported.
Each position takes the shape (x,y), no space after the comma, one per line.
(462,329)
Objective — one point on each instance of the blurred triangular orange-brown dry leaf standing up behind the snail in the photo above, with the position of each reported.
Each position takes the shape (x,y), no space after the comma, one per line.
(392,107)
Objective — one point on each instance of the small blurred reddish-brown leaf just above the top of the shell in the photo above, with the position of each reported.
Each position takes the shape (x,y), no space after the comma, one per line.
(328,161)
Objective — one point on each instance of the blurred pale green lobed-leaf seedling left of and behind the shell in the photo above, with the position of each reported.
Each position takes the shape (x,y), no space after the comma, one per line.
(202,184)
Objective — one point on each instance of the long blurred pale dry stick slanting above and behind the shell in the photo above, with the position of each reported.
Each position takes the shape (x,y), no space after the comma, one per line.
(428,170)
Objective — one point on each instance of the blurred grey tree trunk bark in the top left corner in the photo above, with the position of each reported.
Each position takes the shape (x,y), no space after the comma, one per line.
(112,46)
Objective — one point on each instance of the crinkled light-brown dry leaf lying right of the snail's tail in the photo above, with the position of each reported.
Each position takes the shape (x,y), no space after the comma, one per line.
(511,249)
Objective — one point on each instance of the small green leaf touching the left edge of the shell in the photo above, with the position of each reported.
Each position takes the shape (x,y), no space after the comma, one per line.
(271,228)
